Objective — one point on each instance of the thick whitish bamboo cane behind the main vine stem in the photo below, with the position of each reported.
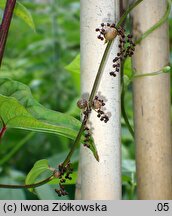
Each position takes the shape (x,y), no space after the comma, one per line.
(100,180)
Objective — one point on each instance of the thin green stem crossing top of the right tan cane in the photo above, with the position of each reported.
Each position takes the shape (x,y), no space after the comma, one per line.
(157,25)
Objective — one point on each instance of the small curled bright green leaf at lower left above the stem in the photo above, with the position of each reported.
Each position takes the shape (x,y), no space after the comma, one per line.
(39,168)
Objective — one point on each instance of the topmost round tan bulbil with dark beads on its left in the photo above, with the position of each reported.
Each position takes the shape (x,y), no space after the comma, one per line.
(107,31)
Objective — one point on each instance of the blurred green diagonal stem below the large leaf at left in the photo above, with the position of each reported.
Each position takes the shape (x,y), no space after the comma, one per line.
(16,148)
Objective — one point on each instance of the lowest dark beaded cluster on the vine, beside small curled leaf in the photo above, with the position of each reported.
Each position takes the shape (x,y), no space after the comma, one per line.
(65,172)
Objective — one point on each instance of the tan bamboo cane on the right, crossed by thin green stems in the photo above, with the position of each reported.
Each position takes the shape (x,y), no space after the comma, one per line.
(152,104)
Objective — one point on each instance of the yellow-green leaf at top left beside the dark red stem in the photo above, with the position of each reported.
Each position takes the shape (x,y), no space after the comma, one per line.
(22,12)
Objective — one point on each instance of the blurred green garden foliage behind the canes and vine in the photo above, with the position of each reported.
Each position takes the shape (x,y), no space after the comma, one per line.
(42,60)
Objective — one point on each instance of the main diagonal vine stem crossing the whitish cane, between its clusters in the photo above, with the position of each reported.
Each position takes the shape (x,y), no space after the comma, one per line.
(97,80)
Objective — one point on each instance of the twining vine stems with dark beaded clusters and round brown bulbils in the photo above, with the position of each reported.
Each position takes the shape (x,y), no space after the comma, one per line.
(107,32)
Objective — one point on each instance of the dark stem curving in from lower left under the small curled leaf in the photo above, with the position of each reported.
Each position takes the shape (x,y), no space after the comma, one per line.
(29,185)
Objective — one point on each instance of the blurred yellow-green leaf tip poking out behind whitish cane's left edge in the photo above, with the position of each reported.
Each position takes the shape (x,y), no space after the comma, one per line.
(74,69)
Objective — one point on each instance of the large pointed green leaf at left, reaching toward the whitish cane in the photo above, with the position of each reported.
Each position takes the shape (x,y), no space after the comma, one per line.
(19,109)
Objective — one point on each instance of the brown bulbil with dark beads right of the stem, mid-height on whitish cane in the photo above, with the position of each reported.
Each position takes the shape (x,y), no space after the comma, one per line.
(97,105)
